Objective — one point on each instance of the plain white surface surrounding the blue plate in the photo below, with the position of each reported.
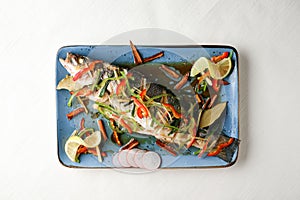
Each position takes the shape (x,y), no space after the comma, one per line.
(266,34)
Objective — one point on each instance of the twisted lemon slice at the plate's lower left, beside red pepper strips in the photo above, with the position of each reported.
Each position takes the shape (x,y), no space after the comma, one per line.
(75,141)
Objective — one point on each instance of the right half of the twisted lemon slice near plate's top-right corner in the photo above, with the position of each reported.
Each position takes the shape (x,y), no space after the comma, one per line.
(221,69)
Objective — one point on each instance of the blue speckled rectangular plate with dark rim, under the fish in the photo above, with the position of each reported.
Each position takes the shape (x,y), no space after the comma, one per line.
(120,55)
